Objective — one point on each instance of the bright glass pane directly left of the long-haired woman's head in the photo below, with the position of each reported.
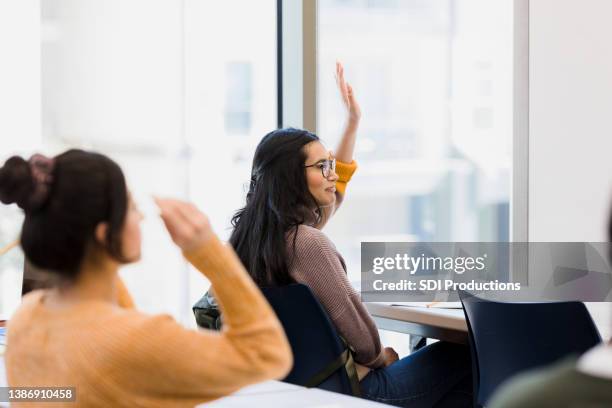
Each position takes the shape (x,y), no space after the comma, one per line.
(230,73)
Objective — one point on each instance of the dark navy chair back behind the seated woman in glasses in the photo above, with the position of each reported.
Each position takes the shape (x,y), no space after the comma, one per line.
(321,357)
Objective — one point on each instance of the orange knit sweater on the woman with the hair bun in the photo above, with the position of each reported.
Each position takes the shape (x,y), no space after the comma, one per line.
(117,356)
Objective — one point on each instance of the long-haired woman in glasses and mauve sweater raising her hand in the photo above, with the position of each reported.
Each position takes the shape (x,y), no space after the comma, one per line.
(296,186)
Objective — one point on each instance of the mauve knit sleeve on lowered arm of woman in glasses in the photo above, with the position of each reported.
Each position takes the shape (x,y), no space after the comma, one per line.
(316,264)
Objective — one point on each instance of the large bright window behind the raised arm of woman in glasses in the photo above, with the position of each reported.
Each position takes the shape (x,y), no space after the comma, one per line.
(434,78)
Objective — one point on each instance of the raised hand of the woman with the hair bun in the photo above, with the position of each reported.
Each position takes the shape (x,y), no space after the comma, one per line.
(188,226)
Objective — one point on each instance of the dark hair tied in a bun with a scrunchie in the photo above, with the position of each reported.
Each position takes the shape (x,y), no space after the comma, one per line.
(81,190)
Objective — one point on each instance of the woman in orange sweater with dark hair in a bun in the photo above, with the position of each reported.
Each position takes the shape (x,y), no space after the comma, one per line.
(81,224)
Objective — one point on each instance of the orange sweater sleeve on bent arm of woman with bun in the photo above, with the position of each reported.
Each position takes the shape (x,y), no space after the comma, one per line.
(194,366)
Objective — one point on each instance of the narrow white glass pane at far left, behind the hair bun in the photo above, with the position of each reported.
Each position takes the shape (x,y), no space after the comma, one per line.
(19,126)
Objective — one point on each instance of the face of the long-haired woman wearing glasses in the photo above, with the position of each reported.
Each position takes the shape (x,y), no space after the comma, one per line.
(322,189)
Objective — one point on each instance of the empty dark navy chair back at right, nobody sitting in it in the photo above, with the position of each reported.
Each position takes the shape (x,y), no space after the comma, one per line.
(508,338)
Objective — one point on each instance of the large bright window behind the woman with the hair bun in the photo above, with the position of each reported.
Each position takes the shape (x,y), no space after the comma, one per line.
(178,92)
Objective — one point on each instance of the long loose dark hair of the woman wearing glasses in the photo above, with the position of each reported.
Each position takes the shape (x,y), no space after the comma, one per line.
(277,202)
